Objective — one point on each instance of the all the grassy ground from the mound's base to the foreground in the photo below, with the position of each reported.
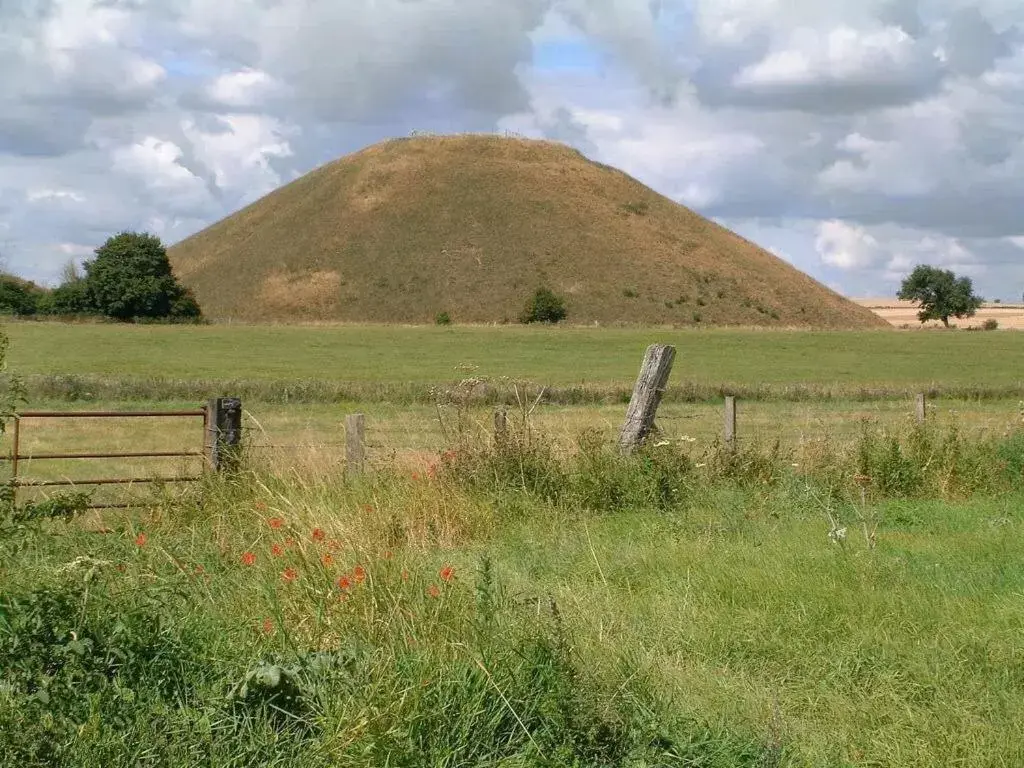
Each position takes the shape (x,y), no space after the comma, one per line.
(687,607)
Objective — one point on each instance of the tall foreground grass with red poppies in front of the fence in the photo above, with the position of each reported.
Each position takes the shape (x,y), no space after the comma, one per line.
(519,605)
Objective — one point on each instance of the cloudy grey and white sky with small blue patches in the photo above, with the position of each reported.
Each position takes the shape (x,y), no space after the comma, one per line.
(855,140)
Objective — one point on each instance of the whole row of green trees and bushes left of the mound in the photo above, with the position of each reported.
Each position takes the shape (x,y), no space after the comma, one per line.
(129,280)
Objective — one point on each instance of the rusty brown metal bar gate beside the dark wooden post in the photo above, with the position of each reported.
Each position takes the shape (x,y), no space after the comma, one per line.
(17,456)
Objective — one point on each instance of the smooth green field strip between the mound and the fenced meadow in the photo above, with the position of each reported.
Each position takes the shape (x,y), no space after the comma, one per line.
(376,356)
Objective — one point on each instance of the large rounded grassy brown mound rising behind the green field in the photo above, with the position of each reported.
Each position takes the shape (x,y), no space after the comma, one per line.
(473,226)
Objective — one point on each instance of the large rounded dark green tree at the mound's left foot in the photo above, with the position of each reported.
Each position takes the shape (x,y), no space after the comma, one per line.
(132,279)
